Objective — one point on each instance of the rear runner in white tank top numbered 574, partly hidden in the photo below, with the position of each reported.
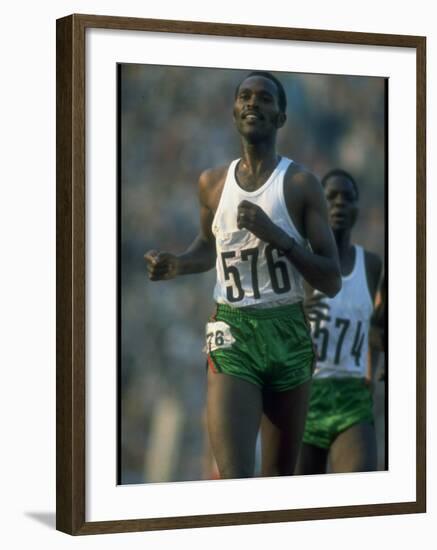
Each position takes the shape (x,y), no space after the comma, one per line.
(340,417)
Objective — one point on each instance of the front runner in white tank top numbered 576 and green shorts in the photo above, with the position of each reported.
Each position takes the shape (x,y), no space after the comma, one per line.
(259,215)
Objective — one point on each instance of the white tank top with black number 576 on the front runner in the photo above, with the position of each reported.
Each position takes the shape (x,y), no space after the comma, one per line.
(250,272)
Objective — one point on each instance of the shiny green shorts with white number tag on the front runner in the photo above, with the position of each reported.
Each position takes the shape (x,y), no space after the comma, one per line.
(271,348)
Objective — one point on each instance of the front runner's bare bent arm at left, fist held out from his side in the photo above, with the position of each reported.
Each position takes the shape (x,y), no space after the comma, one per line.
(199,256)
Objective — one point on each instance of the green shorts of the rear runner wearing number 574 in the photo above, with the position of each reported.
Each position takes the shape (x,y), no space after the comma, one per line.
(336,404)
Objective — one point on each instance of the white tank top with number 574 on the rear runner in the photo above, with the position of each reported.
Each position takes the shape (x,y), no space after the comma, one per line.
(342,342)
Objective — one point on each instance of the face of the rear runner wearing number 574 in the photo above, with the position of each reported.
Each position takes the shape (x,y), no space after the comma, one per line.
(342,203)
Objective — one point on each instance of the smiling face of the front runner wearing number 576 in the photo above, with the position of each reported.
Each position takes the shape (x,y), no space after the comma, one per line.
(256,109)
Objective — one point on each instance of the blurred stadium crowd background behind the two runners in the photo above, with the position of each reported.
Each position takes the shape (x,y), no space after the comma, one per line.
(175,123)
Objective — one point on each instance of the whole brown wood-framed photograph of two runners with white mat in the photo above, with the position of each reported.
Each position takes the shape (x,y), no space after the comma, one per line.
(146,109)
